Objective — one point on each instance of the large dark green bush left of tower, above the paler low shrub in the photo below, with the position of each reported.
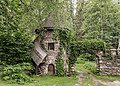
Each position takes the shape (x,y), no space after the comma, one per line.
(15,47)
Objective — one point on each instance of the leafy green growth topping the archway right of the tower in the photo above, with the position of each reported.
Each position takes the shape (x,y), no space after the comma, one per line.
(90,45)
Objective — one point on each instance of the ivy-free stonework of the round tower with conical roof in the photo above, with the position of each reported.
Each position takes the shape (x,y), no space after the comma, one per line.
(44,59)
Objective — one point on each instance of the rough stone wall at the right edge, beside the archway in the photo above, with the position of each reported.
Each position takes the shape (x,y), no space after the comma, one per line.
(108,66)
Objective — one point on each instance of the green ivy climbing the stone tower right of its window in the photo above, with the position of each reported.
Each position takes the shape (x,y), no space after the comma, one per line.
(63,35)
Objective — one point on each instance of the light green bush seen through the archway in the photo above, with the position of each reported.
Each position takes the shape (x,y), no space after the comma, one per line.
(90,66)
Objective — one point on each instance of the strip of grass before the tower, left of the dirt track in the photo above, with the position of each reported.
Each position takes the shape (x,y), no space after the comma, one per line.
(46,81)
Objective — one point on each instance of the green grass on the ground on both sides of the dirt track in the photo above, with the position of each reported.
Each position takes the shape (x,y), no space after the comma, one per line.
(65,81)
